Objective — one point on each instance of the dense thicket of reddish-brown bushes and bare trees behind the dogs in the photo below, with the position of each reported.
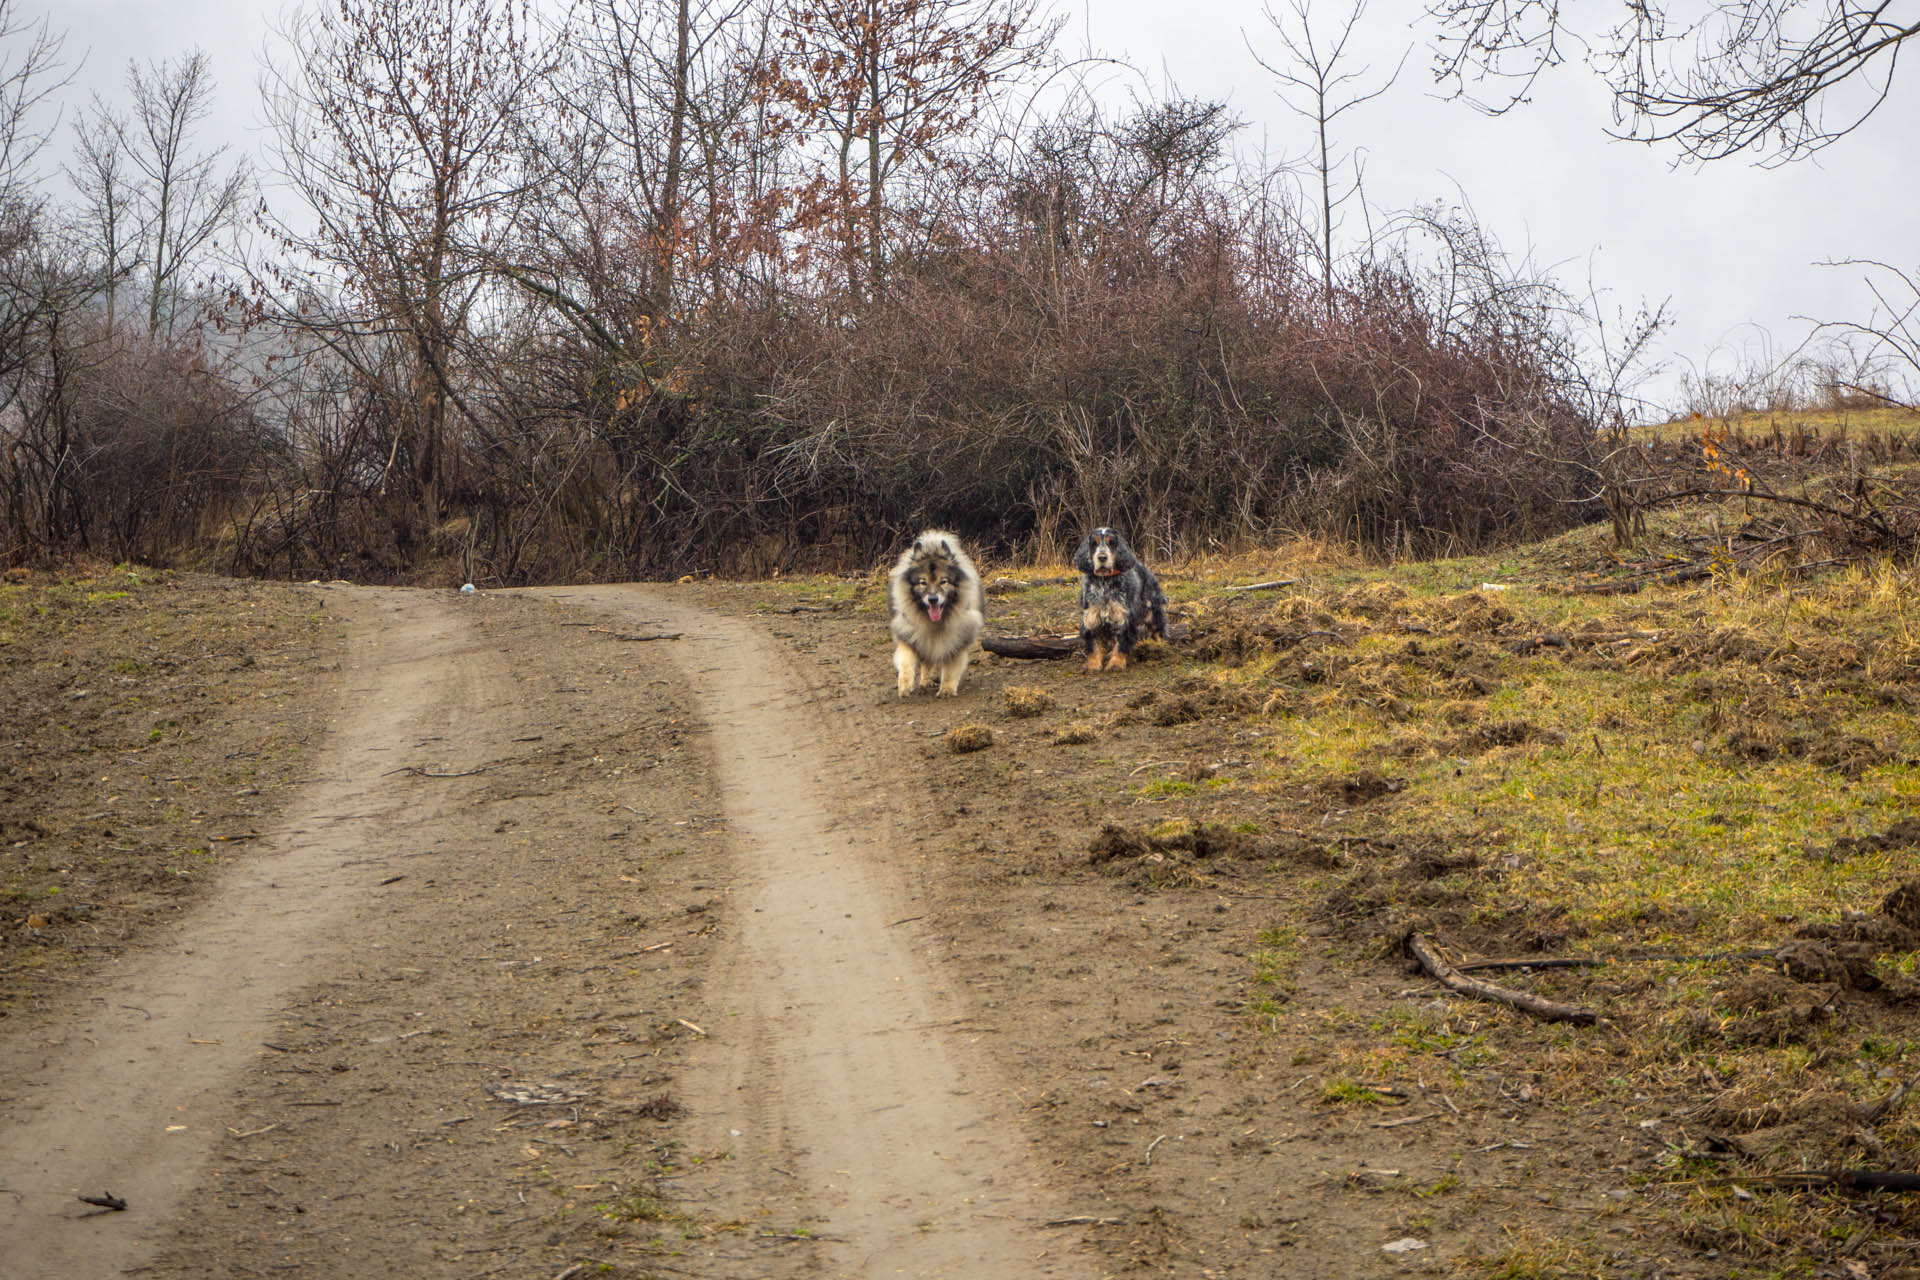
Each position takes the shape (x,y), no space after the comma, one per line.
(740,289)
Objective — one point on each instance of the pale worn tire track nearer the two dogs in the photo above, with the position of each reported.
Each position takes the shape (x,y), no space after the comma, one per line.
(834,1078)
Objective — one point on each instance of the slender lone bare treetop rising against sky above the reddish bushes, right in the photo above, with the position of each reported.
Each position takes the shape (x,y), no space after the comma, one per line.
(1320,89)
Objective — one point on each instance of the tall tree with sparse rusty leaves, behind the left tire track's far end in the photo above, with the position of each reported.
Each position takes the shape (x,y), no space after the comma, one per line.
(395,128)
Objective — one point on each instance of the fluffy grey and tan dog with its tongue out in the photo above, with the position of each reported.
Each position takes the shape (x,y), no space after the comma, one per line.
(938,613)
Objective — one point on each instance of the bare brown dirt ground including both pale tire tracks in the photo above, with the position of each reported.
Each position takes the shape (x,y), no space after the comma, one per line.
(644,932)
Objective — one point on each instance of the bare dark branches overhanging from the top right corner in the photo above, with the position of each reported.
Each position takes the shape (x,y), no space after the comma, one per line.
(1775,80)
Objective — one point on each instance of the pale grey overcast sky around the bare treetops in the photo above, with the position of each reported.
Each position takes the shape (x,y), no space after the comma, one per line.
(1733,247)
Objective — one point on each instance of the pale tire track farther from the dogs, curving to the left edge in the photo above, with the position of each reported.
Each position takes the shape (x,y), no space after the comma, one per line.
(128,1099)
